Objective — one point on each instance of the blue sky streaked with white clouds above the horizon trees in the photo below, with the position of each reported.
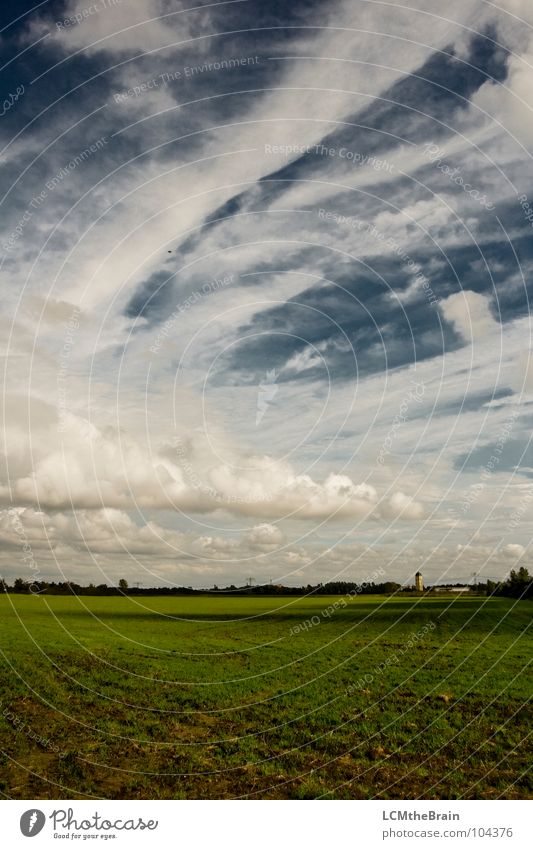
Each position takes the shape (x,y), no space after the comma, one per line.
(265,276)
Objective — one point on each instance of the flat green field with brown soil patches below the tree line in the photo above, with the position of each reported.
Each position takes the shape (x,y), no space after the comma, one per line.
(203,697)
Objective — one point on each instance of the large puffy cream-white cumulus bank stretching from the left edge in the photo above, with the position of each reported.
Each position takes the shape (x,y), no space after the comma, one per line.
(84,467)
